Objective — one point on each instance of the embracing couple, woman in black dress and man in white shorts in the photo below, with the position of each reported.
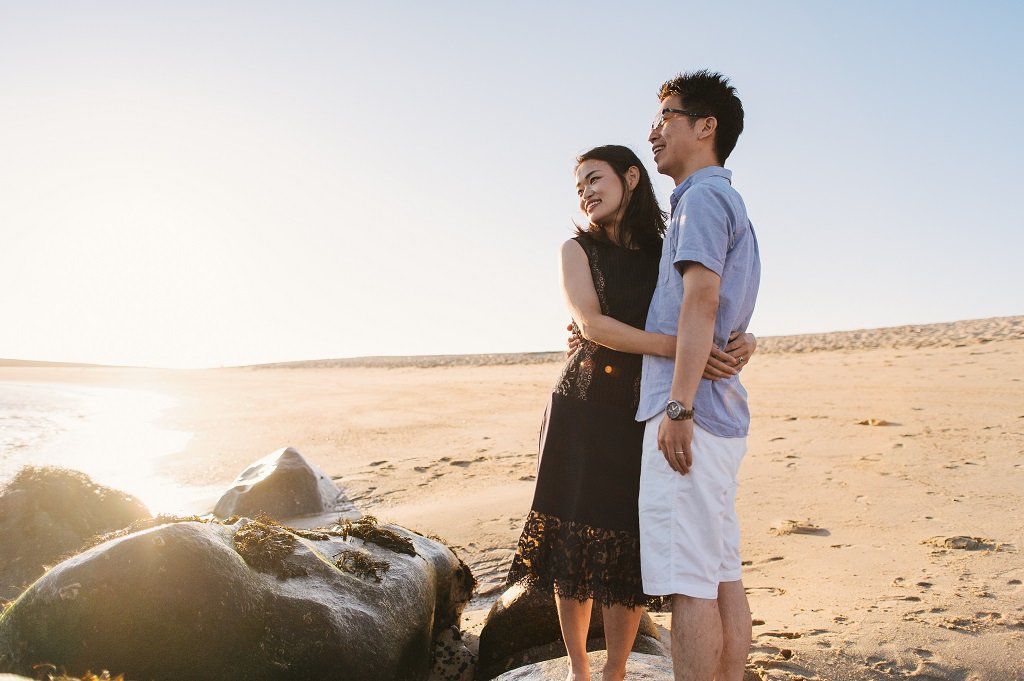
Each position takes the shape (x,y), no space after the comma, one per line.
(643,440)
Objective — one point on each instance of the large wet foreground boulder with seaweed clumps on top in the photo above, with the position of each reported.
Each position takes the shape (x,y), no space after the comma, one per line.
(247,600)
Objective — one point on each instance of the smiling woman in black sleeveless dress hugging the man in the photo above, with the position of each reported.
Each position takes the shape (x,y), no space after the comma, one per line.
(582,535)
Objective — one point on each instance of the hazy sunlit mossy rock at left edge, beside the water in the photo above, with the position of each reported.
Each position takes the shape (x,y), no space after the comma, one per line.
(49,513)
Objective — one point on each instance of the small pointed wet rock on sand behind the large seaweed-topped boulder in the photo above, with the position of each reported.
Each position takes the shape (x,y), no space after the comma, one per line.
(283,485)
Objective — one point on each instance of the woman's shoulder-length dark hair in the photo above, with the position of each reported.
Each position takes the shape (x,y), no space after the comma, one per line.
(644,221)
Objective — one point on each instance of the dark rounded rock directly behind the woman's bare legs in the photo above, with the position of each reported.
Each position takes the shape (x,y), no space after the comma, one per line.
(523,628)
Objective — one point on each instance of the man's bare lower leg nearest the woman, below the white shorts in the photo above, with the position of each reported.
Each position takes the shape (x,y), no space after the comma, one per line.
(697,639)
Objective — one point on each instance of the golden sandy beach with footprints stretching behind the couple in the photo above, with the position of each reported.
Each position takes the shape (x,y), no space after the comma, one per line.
(880,500)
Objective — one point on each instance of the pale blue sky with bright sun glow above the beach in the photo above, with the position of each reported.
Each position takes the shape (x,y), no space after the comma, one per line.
(207,184)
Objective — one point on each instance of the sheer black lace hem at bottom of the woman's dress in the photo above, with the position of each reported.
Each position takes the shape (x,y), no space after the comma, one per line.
(581,562)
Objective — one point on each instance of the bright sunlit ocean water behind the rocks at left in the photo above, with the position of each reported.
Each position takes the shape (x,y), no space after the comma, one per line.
(112,435)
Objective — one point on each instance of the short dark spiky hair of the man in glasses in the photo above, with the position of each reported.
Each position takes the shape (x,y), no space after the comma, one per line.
(710,93)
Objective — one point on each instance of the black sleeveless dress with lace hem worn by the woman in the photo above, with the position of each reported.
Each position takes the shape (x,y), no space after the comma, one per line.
(582,535)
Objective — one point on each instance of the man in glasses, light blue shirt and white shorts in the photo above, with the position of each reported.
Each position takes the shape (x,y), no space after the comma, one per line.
(697,430)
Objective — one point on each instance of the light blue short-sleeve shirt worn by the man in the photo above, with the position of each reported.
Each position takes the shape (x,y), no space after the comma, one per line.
(709,226)
